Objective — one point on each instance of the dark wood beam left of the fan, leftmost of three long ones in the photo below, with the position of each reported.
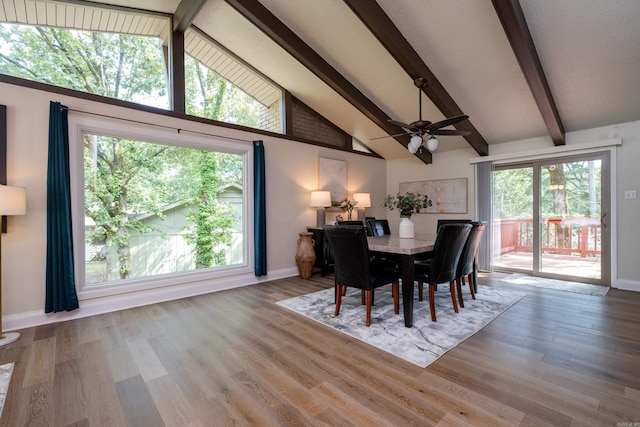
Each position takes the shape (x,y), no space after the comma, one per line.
(268,23)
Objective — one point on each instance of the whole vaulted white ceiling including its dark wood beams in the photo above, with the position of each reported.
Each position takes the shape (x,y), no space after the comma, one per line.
(519,69)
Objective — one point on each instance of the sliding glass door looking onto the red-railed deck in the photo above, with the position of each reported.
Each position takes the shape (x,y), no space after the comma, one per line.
(550,218)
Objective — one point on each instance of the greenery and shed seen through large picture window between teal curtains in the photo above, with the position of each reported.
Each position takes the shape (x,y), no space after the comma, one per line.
(155,209)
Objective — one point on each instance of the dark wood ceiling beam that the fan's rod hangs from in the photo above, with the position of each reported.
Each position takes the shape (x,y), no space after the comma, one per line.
(374,18)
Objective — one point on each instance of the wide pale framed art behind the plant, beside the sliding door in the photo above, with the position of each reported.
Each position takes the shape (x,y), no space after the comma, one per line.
(447,195)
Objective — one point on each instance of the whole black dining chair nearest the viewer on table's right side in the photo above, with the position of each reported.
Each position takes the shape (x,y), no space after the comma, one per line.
(442,267)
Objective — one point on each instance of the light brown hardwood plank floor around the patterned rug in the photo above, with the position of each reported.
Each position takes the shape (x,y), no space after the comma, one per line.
(236,358)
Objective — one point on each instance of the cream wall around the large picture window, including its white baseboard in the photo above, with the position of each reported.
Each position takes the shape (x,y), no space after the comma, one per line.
(292,173)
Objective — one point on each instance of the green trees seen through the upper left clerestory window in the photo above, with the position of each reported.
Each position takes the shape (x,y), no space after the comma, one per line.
(120,66)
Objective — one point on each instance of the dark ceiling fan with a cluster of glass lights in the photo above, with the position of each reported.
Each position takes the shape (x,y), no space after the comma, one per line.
(422,128)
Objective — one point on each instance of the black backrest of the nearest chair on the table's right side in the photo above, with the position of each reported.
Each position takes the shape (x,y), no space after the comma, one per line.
(446,252)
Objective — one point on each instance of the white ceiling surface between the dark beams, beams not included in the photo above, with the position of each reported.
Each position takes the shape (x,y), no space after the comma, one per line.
(589,51)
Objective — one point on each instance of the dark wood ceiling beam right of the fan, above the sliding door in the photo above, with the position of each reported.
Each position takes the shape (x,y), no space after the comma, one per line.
(515,25)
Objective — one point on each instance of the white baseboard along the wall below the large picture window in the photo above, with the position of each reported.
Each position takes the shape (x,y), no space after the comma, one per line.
(118,302)
